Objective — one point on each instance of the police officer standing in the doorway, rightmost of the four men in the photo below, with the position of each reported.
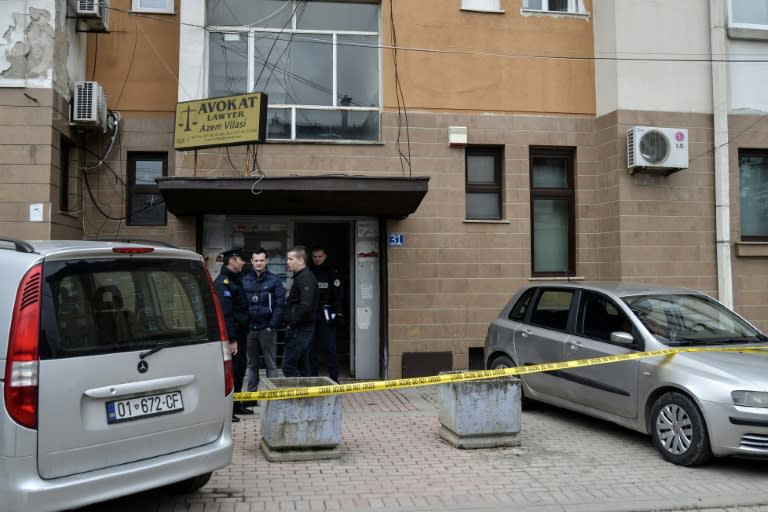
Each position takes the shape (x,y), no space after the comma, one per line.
(329,313)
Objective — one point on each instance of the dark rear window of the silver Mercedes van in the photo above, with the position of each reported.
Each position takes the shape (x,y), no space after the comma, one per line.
(124,304)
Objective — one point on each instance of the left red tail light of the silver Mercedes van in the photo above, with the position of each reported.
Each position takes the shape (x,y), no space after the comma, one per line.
(22,360)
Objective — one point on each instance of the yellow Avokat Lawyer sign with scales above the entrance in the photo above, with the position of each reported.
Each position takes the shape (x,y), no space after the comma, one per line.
(222,121)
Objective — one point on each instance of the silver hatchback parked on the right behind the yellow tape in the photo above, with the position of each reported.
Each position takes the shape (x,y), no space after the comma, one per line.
(695,405)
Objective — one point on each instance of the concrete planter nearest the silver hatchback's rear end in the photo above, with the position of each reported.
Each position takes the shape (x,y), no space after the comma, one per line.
(482,413)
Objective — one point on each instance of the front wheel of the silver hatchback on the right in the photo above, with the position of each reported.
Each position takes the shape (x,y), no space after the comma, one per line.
(679,431)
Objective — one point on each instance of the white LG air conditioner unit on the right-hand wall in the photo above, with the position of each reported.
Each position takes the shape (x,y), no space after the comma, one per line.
(656,150)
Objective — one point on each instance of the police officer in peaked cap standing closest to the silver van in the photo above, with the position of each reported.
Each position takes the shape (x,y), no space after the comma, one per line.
(235,309)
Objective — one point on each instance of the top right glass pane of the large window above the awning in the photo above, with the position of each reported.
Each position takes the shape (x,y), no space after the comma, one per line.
(338,16)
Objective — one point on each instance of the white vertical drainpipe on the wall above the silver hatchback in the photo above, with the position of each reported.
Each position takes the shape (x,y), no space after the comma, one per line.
(720,101)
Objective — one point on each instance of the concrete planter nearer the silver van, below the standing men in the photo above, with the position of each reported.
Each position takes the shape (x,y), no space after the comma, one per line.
(300,429)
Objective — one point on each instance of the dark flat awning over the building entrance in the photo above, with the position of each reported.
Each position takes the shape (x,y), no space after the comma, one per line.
(392,197)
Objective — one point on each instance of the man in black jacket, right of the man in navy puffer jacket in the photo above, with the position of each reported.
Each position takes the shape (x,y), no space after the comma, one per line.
(300,308)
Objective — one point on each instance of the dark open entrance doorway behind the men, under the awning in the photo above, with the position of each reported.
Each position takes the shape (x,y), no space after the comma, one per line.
(335,238)
